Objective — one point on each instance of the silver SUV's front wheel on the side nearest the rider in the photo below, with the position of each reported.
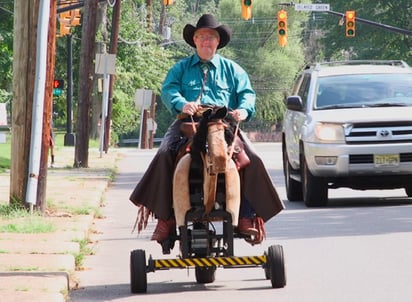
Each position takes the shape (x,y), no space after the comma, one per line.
(315,189)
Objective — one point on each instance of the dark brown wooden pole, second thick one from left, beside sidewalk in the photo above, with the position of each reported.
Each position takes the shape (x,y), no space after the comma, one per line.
(86,74)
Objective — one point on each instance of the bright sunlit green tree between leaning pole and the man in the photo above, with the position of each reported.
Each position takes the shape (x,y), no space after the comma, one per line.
(141,63)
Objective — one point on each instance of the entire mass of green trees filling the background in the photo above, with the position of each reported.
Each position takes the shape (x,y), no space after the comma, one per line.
(146,52)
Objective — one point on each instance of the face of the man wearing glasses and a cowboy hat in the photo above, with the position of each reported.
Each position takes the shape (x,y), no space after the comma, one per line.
(206,41)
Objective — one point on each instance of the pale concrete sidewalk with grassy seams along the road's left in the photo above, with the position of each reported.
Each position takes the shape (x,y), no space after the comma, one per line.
(42,266)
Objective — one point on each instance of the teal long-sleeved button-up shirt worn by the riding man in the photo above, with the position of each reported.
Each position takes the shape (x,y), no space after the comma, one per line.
(227,84)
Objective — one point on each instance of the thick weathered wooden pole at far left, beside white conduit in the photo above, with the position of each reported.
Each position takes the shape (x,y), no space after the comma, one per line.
(24,66)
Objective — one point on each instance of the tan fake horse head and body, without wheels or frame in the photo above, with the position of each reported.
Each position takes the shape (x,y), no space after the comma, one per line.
(211,153)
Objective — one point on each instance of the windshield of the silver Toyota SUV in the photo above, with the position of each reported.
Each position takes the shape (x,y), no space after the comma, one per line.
(364,90)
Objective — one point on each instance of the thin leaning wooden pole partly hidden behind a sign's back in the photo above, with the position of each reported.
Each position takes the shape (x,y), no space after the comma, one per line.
(113,50)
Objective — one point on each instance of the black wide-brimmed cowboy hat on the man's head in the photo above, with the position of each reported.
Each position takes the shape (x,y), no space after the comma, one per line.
(207,21)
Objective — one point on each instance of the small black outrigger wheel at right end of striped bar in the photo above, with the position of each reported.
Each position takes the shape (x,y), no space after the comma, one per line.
(276,266)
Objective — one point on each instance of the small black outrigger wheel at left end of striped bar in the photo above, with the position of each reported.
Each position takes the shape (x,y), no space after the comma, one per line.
(138,275)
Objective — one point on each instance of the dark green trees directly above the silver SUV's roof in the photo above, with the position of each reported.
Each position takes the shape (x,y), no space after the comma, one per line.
(370,42)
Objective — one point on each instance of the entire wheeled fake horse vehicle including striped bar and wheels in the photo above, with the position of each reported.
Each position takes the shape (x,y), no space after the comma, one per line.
(206,193)
